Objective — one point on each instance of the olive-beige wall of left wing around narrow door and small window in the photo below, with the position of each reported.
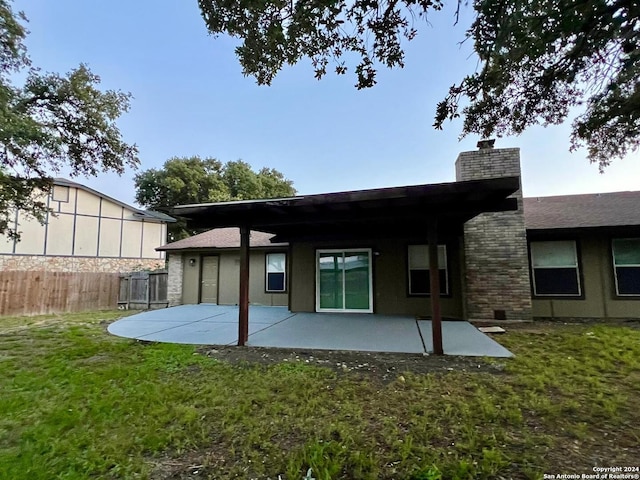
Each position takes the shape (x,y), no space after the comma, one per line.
(229,277)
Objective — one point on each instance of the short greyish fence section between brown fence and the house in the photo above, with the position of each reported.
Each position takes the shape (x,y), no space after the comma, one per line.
(143,290)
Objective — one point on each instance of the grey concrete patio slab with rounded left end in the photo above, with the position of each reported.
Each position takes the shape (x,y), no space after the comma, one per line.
(277,327)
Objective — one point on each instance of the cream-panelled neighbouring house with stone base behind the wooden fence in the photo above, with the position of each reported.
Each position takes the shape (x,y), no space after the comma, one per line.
(88,232)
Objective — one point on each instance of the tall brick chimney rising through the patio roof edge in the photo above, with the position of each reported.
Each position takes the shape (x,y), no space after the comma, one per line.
(495,244)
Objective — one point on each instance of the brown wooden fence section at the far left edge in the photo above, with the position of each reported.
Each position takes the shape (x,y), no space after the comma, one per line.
(33,293)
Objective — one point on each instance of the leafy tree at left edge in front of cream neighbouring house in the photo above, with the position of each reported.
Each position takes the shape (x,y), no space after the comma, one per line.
(50,121)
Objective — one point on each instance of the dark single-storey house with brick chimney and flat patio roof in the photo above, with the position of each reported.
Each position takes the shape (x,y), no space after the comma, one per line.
(367,251)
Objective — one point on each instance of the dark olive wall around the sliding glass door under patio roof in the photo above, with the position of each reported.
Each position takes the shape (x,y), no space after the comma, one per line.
(390,278)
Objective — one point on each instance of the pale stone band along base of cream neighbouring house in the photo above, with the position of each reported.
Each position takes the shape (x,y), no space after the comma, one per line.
(43,263)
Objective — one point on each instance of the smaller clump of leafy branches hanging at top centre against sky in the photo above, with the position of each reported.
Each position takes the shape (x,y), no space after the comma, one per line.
(276,32)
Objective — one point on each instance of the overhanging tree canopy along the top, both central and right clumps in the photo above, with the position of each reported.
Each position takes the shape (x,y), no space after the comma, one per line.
(539,60)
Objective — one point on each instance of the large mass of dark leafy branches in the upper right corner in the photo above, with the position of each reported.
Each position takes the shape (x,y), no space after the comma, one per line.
(540,59)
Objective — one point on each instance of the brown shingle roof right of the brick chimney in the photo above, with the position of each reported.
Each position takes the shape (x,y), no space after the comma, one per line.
(583,211)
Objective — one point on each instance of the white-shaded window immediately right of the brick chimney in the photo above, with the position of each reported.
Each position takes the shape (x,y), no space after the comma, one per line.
(555,268)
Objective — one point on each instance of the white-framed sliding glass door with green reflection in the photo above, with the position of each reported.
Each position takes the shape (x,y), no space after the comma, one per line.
(343,281)
